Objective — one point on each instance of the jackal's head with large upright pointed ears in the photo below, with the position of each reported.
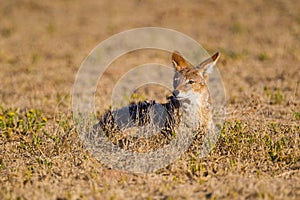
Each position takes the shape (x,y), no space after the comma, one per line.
(190,83)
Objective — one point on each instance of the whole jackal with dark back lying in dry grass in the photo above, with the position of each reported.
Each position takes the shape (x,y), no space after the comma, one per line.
(190,98)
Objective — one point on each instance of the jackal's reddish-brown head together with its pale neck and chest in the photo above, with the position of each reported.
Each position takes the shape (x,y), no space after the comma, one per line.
(190,88)
